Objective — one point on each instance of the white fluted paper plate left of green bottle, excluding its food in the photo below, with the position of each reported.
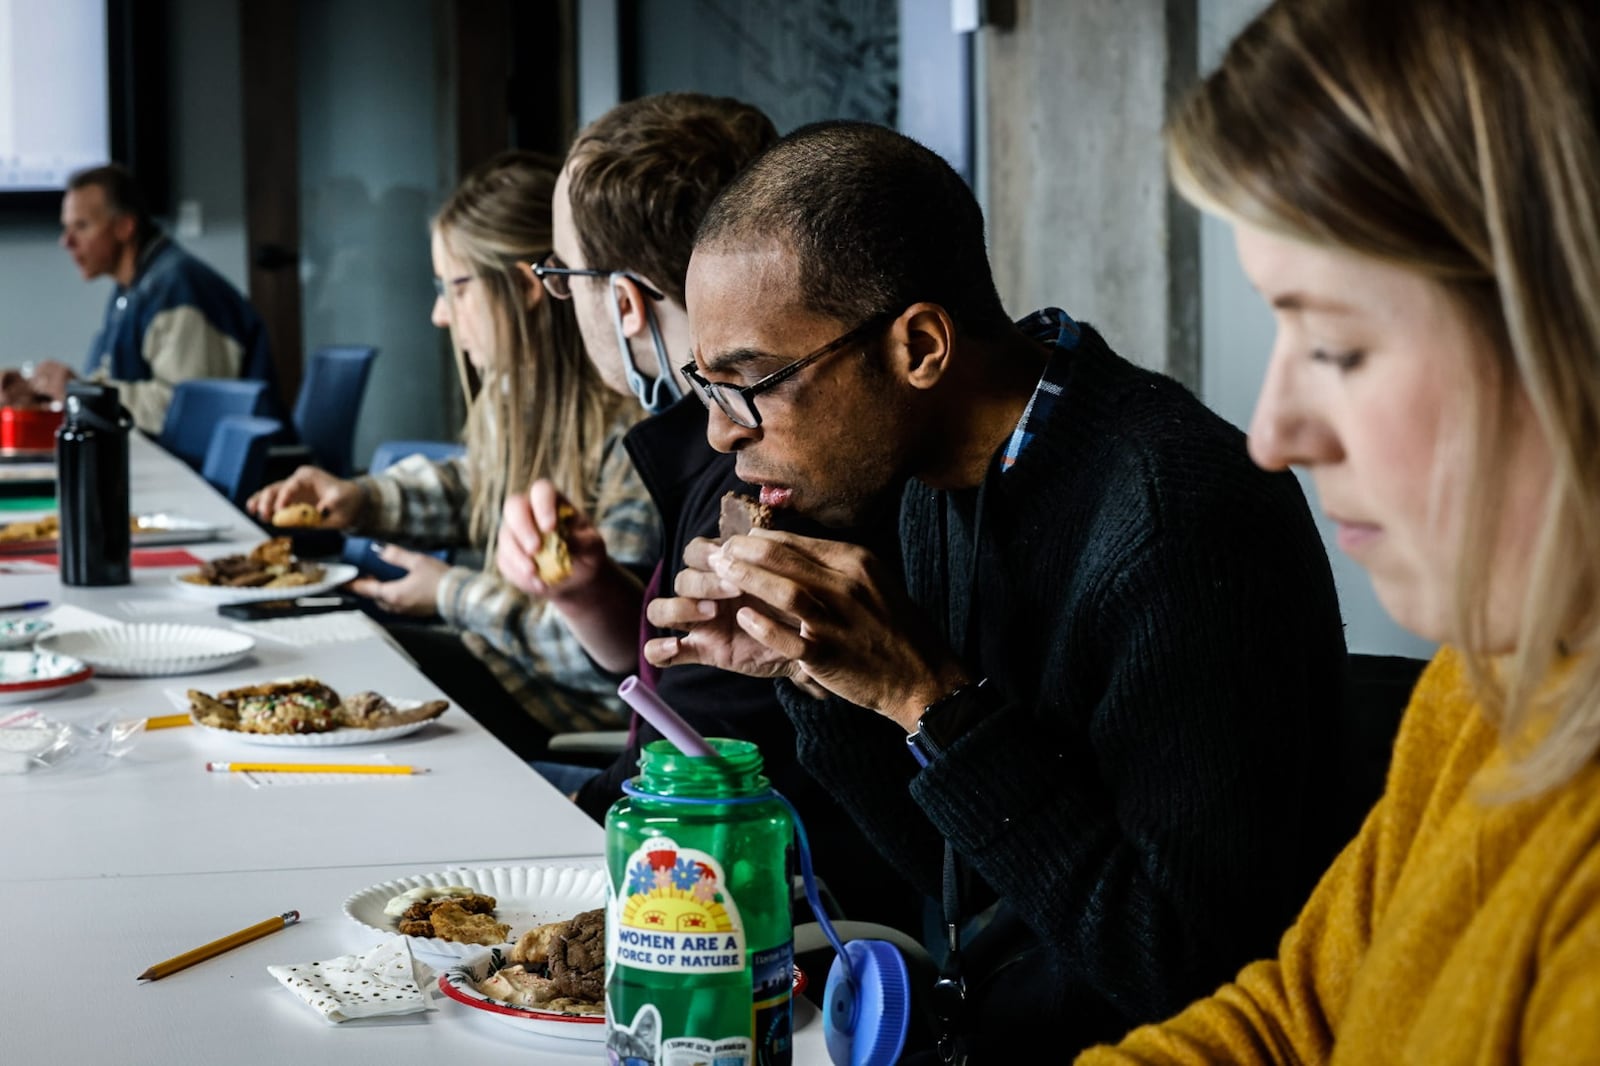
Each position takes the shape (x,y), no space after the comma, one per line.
(524,897)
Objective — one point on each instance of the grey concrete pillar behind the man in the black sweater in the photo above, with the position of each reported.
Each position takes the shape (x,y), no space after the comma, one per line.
(1081,212)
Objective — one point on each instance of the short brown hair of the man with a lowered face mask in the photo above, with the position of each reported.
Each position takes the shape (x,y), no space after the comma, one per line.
(642,177)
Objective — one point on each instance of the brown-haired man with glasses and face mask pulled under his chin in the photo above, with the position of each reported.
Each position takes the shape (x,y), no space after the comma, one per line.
(628,202)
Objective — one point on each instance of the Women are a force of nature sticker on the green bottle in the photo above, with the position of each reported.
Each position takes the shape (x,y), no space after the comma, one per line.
(674,913)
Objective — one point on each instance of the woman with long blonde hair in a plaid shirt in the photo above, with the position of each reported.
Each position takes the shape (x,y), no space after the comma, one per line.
(537,409)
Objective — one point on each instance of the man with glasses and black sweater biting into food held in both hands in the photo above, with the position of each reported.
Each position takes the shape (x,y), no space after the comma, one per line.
(1110,660)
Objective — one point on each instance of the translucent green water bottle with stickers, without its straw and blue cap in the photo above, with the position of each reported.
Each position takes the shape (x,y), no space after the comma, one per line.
(700,934)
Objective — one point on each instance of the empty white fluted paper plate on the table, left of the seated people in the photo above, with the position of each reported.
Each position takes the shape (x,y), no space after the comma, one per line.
(151,649)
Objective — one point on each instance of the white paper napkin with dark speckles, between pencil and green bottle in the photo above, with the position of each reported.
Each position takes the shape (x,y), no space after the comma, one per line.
(382,982)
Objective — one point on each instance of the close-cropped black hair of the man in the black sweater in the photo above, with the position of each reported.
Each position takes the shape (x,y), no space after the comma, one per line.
(878,222)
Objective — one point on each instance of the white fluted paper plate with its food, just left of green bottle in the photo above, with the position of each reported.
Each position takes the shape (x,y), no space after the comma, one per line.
(460,913)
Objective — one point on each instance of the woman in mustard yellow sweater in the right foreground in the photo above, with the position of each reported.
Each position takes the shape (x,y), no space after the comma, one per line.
(1415,188)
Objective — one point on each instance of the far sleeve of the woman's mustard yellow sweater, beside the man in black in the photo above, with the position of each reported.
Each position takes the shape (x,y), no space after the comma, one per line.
(1289,1009)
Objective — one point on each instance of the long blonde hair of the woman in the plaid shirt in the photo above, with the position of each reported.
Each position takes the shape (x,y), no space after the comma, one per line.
(542,409)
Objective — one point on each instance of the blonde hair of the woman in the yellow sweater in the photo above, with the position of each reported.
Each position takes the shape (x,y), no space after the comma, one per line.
(1460,140)
